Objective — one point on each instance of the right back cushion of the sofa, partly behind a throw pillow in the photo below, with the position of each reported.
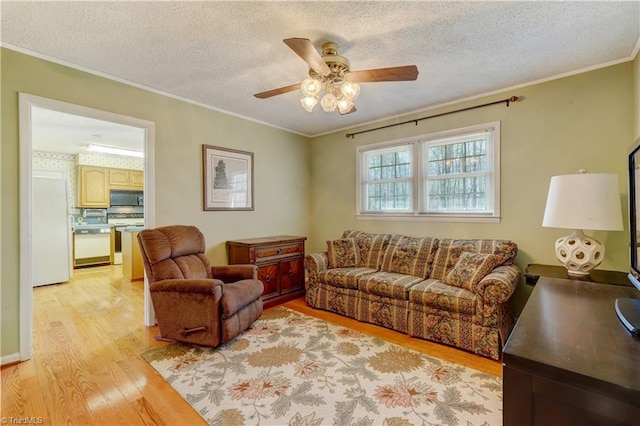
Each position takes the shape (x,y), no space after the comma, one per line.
(449,250)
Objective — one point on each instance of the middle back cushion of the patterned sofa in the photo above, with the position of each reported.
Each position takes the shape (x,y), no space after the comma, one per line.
(409,256)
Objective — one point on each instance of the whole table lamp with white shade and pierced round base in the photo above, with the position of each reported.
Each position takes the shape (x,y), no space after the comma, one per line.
(582,201)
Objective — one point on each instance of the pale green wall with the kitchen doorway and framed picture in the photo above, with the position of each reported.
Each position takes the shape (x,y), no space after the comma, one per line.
(280,165)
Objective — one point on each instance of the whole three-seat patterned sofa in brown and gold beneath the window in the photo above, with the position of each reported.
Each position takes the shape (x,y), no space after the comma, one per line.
(452,291)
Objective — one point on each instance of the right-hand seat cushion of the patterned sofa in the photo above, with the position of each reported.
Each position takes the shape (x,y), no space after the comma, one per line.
(439,295)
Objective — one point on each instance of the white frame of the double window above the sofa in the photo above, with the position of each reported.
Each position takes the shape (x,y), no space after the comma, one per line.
(419,144)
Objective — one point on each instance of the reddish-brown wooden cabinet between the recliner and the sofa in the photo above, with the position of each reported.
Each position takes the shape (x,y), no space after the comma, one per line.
(280,262)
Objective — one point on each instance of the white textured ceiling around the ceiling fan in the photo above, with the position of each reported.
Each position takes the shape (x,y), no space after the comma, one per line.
(219,54)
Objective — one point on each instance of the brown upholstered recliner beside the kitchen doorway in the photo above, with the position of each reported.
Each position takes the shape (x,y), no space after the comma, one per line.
(194,302)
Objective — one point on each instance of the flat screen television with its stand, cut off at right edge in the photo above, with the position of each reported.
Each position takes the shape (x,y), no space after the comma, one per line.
(628,310)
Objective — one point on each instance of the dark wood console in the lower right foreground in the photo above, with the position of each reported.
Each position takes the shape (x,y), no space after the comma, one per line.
(569,361)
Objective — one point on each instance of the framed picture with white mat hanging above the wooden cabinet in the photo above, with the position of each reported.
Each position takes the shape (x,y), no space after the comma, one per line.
(228,178)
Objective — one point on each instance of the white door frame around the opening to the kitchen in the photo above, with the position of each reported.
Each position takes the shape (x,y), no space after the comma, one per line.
(26,103)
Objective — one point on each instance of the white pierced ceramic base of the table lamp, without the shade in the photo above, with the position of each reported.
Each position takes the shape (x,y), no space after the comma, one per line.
(579,253)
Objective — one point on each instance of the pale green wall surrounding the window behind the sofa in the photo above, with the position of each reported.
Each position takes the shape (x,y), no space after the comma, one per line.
(557,127)
